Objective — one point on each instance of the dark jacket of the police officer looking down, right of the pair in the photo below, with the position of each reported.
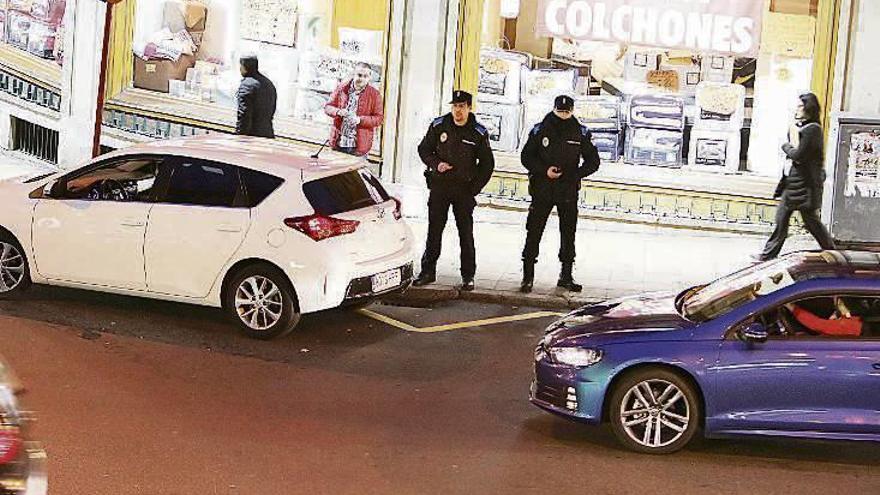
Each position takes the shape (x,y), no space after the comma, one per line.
(562,143)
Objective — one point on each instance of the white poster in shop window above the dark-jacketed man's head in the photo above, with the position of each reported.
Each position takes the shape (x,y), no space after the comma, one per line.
(270,21)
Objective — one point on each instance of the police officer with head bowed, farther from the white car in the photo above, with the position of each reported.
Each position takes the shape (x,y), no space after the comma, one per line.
(558,154)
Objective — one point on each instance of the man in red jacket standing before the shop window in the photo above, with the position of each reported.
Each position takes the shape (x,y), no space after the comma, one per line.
(356,108)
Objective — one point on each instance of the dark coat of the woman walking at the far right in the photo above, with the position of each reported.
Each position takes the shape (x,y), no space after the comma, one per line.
(802,187)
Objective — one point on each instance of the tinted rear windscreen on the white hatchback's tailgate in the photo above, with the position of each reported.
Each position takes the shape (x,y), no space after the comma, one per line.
(345,192)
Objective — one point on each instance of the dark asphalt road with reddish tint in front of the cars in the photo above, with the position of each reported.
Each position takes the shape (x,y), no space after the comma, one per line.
(147,397)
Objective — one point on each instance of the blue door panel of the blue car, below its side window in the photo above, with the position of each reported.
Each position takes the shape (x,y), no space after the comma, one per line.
(792,384)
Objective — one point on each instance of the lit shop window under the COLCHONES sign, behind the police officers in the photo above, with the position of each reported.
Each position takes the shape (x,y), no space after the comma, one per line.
(706,109)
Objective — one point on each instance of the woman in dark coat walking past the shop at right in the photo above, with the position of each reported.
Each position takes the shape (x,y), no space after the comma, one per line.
(800,188)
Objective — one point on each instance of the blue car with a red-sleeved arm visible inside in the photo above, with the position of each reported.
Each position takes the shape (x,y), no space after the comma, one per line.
(789,347)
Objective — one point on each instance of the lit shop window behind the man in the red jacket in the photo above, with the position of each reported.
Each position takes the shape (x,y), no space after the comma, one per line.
(187,52)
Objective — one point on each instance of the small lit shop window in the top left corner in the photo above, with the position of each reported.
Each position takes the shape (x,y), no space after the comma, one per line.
(34,26)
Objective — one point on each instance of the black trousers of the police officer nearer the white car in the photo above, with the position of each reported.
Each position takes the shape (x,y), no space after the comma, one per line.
(463,204)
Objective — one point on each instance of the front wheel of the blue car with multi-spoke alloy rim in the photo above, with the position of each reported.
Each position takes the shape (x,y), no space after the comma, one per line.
(655,411)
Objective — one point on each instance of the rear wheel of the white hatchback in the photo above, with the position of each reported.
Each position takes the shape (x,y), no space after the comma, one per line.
(262,302)
